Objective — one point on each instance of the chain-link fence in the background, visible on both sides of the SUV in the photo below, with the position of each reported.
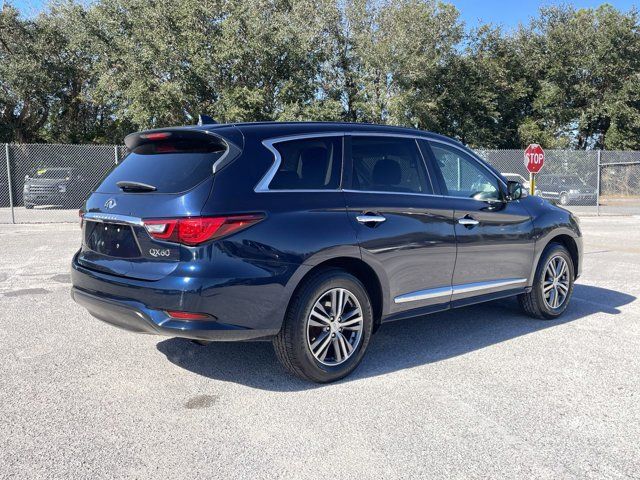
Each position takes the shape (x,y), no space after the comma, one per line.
(48,183)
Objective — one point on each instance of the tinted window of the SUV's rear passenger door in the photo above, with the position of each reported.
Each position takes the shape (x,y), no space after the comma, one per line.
(388,164)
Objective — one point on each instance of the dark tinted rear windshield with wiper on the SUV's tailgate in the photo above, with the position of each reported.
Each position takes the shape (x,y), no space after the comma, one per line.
(171,167)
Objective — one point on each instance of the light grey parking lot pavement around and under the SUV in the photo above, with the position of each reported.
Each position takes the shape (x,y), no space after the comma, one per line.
(479,392)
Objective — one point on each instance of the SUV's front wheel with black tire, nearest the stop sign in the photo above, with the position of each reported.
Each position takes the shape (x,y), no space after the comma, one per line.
(535,303)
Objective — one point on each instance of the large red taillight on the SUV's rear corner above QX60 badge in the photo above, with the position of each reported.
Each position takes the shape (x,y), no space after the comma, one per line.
(197,230)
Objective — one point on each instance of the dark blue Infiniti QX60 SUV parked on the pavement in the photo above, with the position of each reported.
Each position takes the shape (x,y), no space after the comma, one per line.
(312,235)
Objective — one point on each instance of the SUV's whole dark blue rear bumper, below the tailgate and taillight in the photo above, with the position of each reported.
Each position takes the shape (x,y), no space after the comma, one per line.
(245,304)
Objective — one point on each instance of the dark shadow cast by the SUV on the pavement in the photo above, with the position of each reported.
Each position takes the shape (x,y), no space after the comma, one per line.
(396,346)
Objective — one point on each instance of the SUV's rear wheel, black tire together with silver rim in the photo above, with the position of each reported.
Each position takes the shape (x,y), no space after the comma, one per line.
(299,332)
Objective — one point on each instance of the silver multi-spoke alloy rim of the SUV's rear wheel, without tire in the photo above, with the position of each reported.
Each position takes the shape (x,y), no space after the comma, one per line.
(334,326)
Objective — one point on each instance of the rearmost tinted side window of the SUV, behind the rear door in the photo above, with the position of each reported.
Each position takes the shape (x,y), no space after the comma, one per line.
(308,164)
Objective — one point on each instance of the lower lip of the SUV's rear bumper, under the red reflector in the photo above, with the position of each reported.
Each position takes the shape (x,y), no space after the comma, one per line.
(135,317)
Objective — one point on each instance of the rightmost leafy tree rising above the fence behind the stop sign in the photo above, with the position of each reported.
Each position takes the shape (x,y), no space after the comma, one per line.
(579,61)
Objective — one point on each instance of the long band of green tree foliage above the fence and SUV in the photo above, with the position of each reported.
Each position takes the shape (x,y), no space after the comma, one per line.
(92,72)
